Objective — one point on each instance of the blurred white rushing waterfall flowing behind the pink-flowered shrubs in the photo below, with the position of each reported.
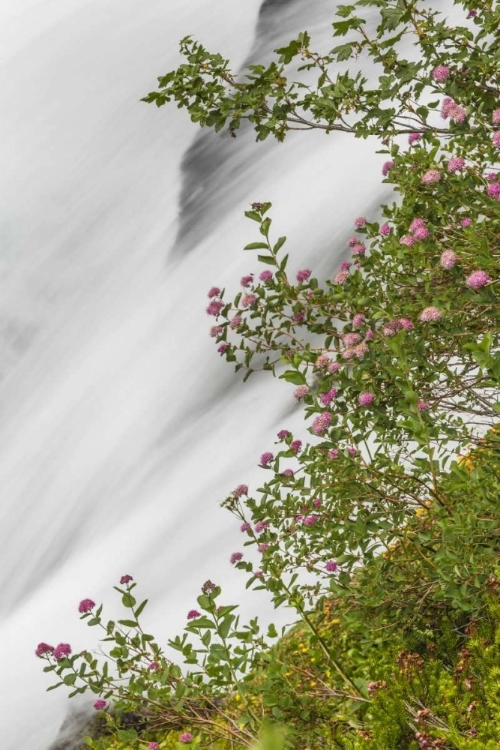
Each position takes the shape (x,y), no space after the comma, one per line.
(121,429)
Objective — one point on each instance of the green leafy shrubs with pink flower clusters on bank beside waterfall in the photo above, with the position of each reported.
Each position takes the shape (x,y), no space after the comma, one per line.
(380,530)
